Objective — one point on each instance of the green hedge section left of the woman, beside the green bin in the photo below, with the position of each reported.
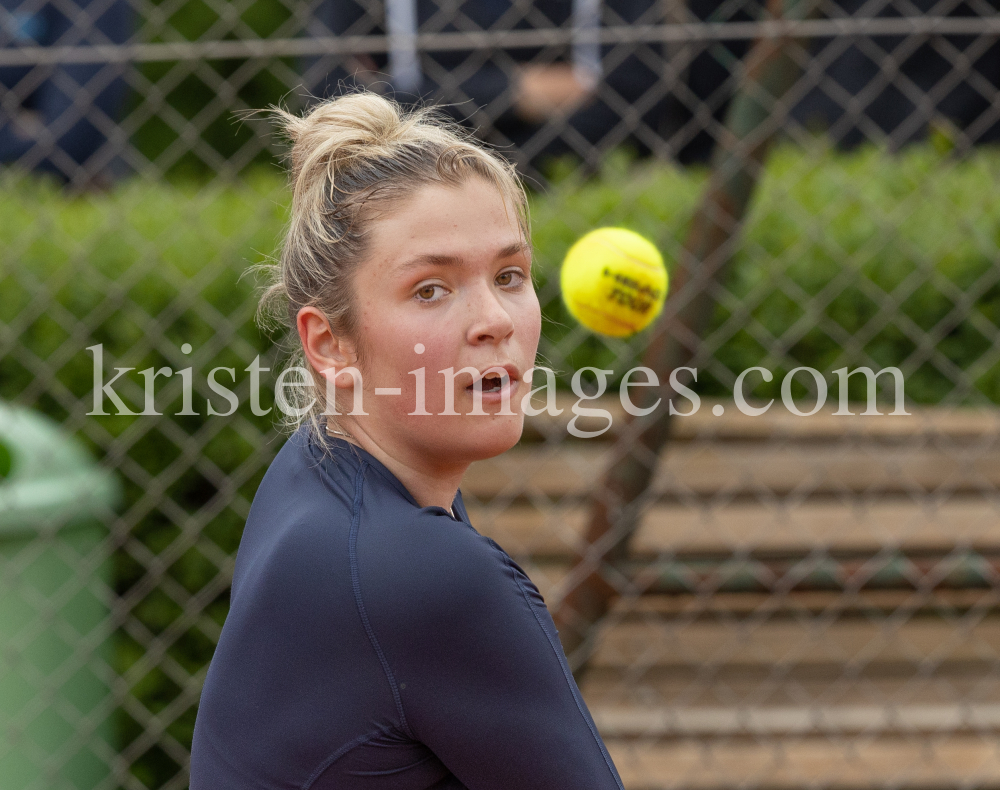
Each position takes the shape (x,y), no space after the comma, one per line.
(144,270)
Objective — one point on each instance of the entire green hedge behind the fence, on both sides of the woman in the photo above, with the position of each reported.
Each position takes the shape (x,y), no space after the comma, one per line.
(846,260)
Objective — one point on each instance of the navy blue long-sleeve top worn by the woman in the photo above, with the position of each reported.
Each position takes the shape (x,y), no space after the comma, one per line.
(373,643)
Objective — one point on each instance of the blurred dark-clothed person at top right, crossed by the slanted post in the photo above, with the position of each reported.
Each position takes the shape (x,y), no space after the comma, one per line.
(888,89)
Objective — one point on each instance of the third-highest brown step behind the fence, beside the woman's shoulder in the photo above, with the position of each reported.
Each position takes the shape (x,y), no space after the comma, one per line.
(851,526)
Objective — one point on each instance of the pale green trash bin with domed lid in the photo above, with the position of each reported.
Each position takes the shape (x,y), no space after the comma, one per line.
(56,726)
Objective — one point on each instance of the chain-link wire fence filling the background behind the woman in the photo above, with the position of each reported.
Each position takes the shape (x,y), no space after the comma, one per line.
(749,600)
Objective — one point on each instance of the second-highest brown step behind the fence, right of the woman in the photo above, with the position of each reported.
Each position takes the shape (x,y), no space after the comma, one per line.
(698,470)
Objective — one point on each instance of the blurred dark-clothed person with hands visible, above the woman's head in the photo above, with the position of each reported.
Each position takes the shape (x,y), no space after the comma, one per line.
(585,92)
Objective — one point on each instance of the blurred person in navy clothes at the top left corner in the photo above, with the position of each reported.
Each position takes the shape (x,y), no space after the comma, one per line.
(62,118)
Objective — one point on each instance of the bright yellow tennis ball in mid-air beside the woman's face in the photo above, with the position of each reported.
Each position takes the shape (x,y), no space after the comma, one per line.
(614,281)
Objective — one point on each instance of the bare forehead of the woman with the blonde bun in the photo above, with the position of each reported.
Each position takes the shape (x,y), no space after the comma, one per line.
(443,219)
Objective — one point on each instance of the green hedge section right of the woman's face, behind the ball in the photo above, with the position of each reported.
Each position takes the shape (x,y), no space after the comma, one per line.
(846,259)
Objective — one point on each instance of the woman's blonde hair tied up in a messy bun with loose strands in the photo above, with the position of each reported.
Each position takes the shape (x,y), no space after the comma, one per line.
(351,156)
